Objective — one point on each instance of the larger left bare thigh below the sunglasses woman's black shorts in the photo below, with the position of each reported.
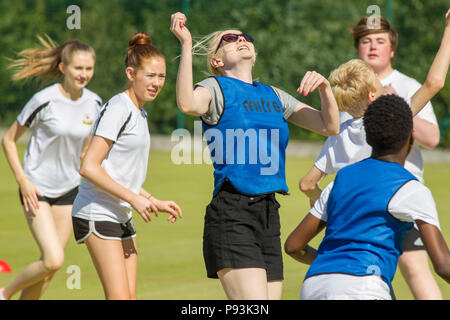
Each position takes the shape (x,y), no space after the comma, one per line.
(244,284)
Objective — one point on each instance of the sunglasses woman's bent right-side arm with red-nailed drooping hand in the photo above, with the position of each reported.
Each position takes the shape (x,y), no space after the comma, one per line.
(325,121)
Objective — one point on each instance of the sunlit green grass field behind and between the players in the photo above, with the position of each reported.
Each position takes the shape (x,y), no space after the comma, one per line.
(170,255)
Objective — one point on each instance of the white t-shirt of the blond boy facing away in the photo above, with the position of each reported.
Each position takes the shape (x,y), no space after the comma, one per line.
(348,147)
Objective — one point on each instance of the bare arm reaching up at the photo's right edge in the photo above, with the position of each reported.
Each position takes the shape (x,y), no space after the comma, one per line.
(435,80)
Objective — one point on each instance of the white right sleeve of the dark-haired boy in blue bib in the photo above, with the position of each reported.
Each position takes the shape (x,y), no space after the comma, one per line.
(414,201)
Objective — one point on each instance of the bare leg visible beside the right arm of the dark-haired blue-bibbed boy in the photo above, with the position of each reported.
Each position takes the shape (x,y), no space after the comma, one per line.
(417,273)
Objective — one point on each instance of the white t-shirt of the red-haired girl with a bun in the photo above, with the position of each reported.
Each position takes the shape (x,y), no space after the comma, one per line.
(126,162)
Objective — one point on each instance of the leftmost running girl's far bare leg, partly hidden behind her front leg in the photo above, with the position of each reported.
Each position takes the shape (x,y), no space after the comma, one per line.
(63,222)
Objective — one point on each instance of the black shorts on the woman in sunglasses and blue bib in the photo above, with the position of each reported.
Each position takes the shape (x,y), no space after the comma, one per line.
(242,232)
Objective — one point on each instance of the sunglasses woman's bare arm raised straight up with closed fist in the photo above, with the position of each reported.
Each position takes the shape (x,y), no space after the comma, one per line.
(189,101)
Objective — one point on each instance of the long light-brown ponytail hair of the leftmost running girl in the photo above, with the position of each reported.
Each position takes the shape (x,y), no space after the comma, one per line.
(43,62)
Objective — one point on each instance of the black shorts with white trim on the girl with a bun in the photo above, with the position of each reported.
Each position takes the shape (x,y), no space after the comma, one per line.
(107,230)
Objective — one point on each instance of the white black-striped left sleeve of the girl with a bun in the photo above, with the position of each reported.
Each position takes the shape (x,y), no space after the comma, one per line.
(111,121)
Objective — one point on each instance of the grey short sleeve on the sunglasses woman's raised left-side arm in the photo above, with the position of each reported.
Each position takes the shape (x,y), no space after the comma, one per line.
(216,105)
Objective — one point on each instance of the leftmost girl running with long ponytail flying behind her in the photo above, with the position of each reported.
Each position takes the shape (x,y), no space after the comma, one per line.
(60,117)
